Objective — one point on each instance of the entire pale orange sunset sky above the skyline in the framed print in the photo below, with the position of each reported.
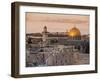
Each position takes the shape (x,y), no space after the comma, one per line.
(56,22)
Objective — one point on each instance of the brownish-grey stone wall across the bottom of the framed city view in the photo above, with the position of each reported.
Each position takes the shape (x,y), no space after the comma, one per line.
(54,57)
